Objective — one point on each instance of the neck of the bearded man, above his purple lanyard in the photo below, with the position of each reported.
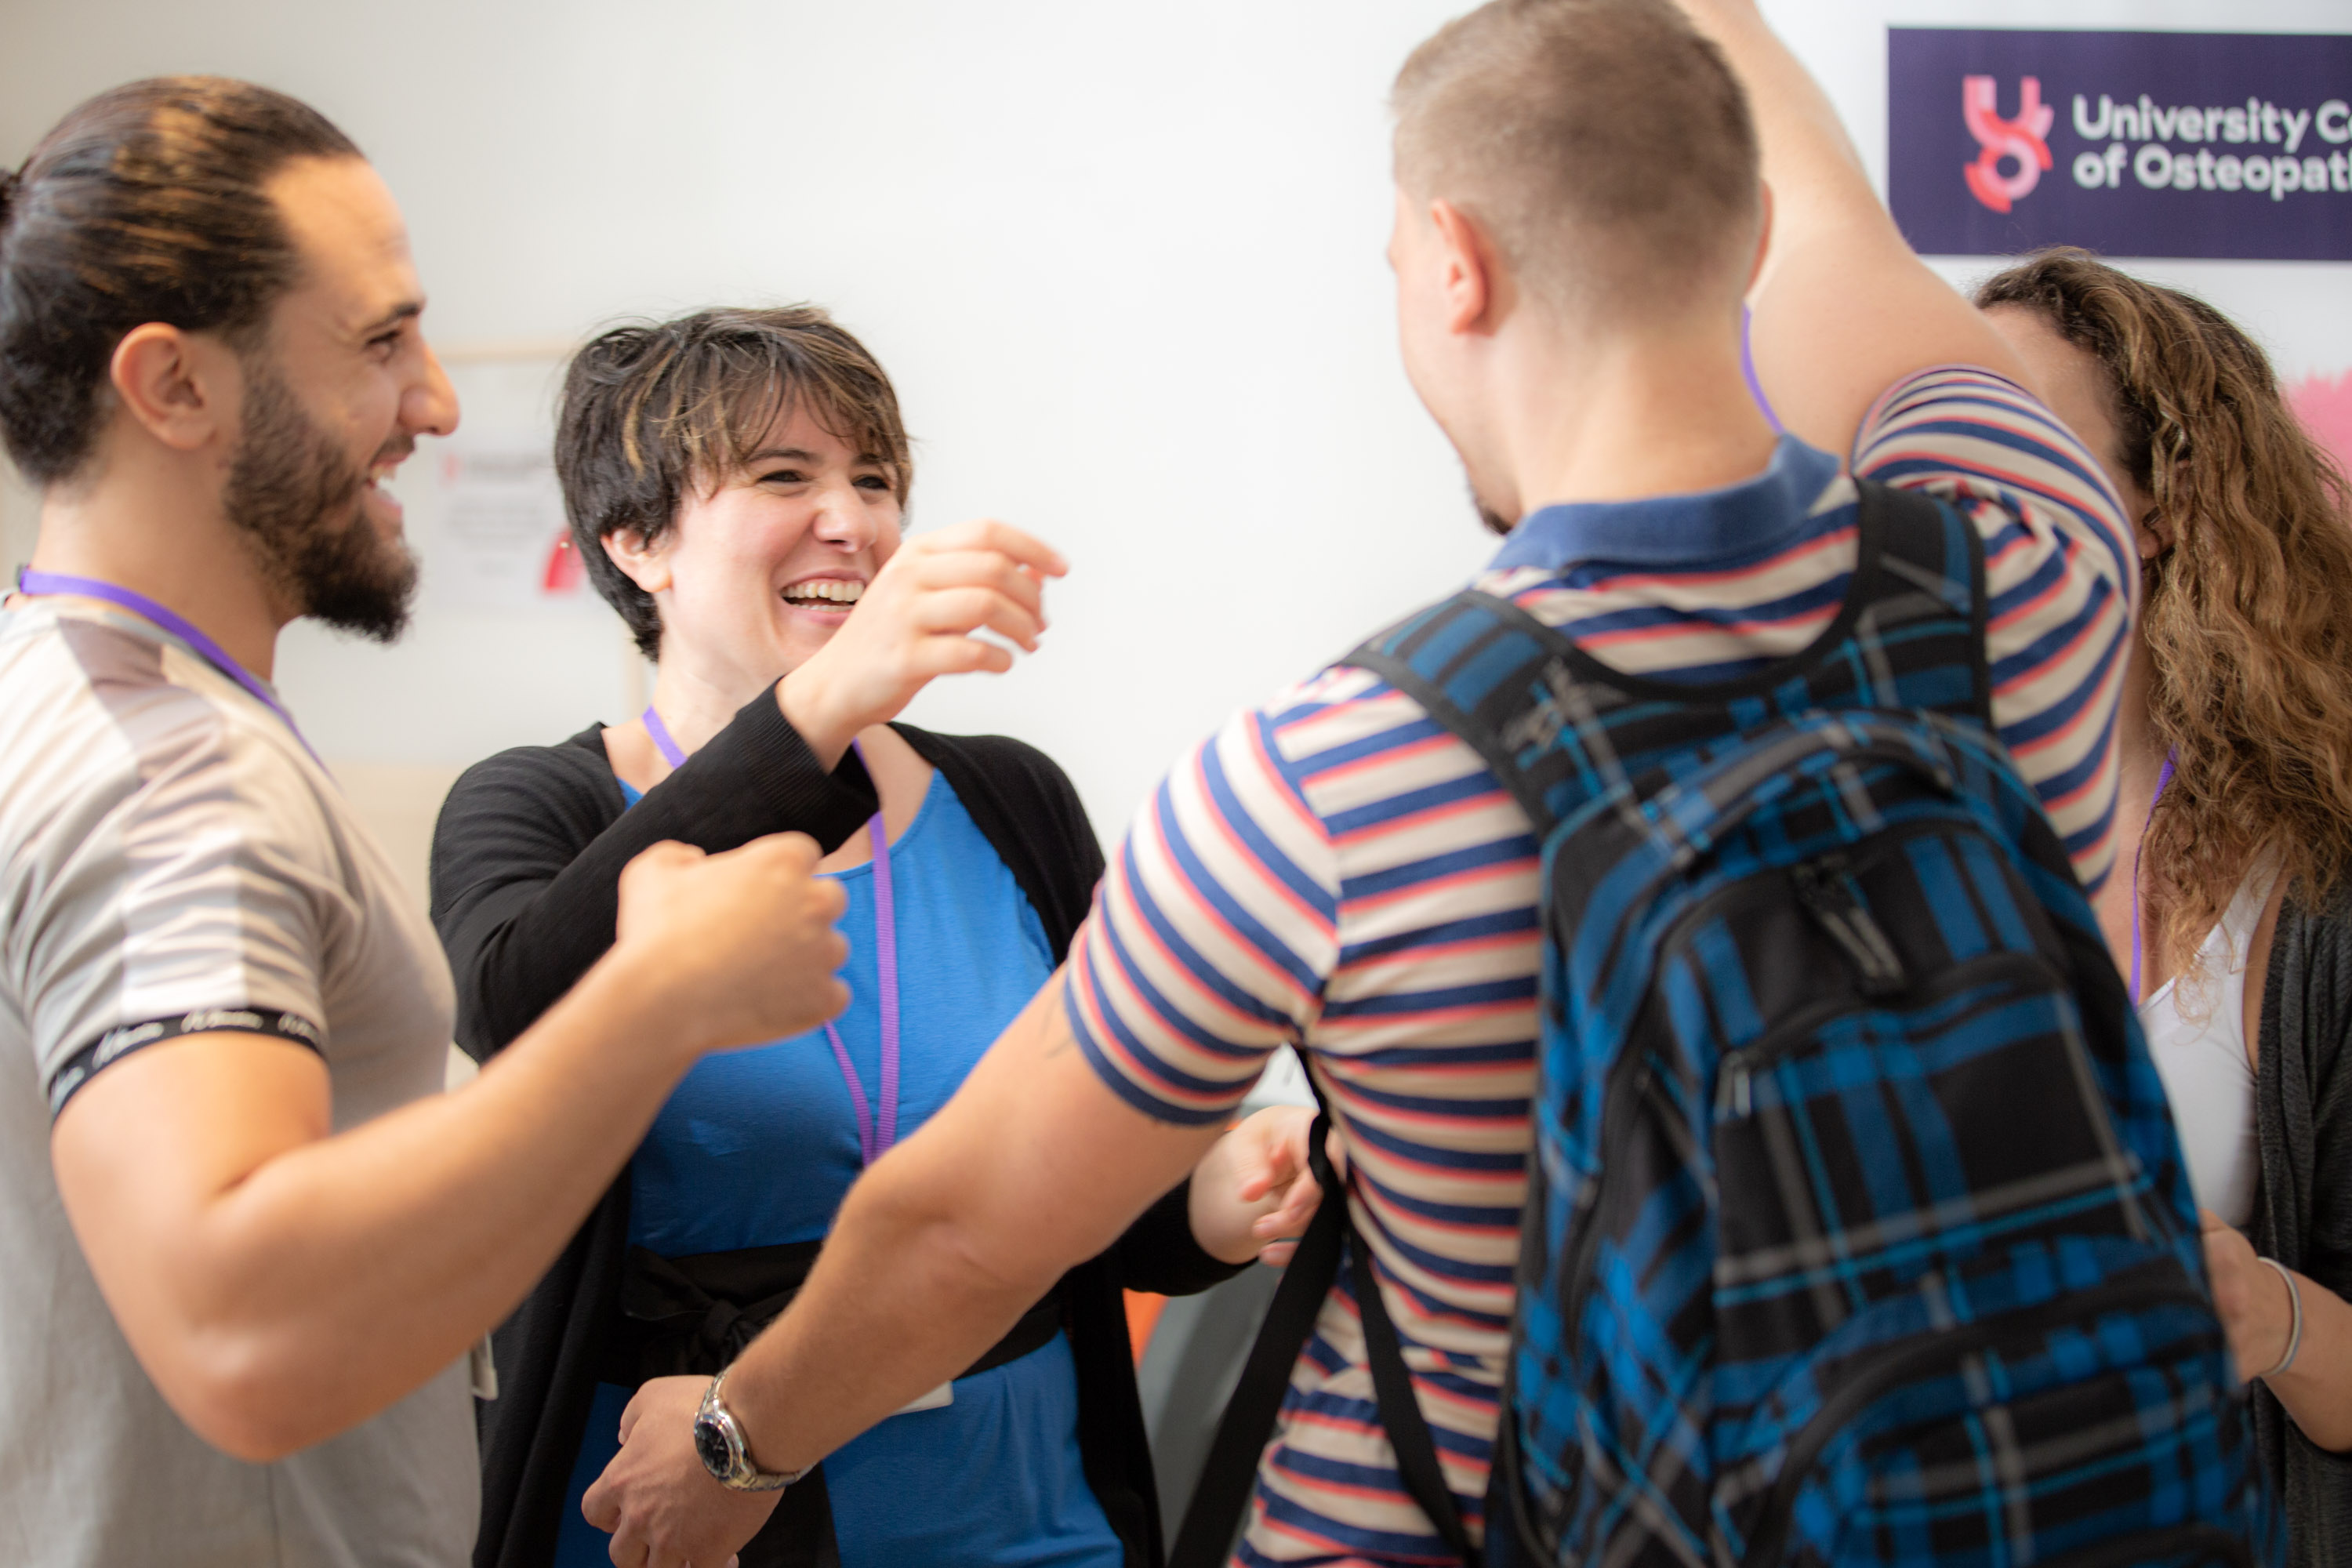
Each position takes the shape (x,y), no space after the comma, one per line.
(142,532)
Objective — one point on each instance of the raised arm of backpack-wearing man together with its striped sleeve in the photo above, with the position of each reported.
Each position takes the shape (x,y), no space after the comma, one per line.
(1845,314)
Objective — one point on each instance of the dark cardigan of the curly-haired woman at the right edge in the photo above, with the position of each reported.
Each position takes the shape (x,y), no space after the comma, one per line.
(2304,1205)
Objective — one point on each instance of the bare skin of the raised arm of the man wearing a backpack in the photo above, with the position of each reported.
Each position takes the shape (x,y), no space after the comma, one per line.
(1843,309)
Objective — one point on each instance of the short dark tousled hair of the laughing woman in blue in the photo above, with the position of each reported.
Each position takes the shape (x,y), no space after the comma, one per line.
(657,410)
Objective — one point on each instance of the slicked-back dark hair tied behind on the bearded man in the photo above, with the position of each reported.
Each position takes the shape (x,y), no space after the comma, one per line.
(145,206)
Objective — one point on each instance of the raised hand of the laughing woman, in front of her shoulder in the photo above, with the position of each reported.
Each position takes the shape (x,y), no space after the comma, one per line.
(914,624)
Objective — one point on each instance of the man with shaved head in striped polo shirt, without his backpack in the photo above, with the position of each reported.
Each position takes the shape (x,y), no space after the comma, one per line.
(1582,215)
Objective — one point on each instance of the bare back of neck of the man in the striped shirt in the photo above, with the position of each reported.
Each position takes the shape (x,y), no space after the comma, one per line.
(1631,417)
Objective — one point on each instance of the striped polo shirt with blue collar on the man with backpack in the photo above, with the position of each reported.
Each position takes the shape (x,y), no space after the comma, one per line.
(1339,873)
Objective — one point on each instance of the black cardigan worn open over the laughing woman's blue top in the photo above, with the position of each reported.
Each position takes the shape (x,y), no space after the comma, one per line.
(526,892)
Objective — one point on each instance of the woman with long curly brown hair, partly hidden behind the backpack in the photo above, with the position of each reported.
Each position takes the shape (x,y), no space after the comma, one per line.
(2236,751)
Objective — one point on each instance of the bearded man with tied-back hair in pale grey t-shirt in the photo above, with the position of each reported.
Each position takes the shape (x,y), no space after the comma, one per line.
(246,1245)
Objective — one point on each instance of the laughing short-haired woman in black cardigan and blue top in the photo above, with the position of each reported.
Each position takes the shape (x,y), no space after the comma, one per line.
(735,483)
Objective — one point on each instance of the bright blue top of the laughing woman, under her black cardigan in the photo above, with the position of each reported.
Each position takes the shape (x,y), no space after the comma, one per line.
(759,1148)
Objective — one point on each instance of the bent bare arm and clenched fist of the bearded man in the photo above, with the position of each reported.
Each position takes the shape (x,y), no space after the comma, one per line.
(283,1282)
